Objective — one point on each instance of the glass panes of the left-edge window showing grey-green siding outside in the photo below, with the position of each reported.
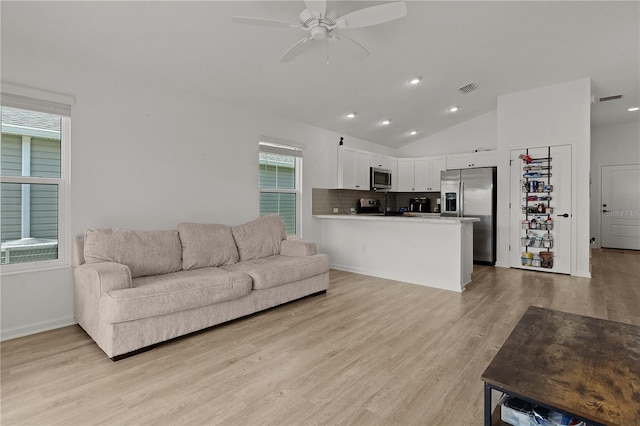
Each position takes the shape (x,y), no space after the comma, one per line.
(30,148)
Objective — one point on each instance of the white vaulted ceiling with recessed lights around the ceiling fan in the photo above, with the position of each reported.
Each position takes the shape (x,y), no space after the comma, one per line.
(502,47)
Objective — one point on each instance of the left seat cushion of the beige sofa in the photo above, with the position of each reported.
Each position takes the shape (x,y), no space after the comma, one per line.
(178,291)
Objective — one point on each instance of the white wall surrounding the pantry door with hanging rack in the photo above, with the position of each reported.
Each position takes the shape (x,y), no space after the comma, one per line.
(551,115)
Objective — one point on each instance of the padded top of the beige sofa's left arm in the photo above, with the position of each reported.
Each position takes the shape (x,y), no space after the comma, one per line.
(103,276)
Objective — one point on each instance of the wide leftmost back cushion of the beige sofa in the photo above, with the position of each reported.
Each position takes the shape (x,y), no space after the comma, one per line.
(144,252)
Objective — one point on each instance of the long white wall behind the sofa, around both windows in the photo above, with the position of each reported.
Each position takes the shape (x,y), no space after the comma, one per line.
(148,157)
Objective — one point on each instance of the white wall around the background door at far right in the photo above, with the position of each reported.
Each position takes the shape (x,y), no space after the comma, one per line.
(614,144)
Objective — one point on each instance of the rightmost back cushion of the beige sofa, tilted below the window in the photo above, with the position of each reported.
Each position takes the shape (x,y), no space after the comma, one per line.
(259,238)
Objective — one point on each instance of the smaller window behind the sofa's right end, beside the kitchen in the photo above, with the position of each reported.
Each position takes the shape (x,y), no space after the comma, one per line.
(280,183)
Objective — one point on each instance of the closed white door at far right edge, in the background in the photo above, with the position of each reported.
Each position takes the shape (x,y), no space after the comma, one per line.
(621,206)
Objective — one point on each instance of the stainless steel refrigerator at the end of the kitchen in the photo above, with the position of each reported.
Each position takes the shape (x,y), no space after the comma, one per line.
(472,193)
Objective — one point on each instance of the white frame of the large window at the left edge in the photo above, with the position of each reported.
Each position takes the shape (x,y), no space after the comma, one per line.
(27,98)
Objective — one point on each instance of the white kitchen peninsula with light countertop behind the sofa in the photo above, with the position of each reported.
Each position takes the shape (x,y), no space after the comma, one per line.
(427,250)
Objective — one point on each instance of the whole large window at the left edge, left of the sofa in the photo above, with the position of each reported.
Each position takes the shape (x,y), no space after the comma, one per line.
(34,182)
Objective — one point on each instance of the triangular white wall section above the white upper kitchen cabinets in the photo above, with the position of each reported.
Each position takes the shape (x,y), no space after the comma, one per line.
(477,133)
